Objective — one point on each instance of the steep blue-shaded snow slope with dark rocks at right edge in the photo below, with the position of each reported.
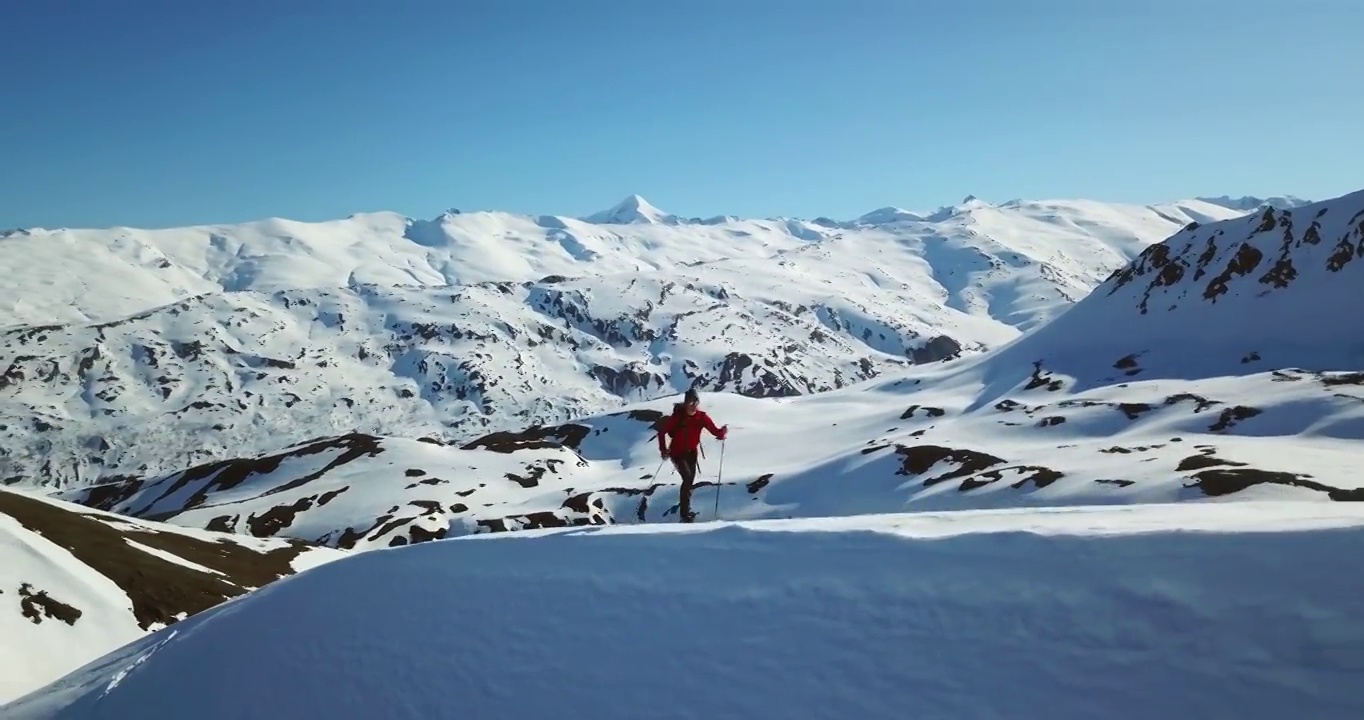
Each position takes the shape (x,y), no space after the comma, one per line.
(1247,295)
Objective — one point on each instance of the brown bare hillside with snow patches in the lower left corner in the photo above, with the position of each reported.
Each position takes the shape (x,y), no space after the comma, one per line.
(78,583)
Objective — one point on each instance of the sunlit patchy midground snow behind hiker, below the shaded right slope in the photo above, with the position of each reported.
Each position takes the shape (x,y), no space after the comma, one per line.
(849,452)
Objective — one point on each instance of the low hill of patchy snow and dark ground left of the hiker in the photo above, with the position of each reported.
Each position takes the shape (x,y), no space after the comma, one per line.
(355,492)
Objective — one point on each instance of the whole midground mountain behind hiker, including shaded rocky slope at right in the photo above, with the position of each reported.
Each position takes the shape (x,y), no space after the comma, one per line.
(1163,385)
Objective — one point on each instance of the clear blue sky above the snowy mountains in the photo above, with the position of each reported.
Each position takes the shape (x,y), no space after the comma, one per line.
(175,112)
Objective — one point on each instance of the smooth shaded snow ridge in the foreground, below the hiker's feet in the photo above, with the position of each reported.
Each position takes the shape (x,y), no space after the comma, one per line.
(1153,612)
